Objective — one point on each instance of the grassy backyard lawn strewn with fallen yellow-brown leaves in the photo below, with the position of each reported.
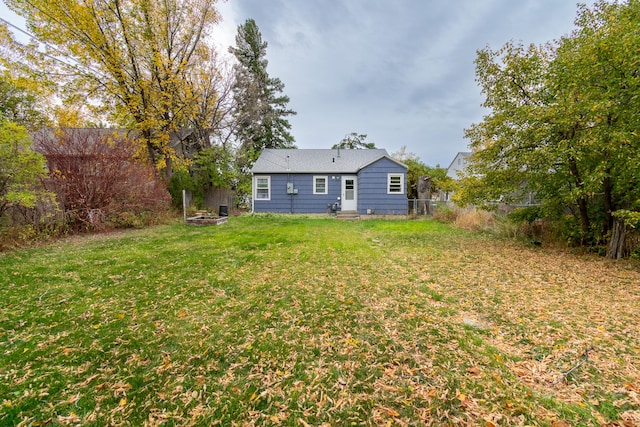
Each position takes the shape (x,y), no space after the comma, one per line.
(312,321)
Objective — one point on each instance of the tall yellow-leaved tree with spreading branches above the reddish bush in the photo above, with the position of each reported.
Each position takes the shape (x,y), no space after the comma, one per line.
(131,61)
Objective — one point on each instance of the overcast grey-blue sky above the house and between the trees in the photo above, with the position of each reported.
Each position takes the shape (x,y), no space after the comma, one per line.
(401,72)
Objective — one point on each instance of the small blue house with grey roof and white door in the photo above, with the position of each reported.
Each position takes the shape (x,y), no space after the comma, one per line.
(320,180)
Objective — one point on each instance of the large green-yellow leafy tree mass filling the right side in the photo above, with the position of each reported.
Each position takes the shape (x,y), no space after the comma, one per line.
(563,122)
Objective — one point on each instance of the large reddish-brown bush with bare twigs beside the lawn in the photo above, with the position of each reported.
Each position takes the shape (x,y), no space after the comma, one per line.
(98,180)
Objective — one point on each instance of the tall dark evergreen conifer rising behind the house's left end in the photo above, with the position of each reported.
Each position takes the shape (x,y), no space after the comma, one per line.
(261,107)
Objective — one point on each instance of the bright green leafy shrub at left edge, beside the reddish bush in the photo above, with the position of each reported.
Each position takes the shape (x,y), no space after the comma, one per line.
(20,168)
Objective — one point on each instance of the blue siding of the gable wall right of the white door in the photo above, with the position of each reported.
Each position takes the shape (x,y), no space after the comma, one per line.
(372,189)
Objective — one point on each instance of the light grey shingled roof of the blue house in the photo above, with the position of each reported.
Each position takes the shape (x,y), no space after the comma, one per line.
(293,160)
